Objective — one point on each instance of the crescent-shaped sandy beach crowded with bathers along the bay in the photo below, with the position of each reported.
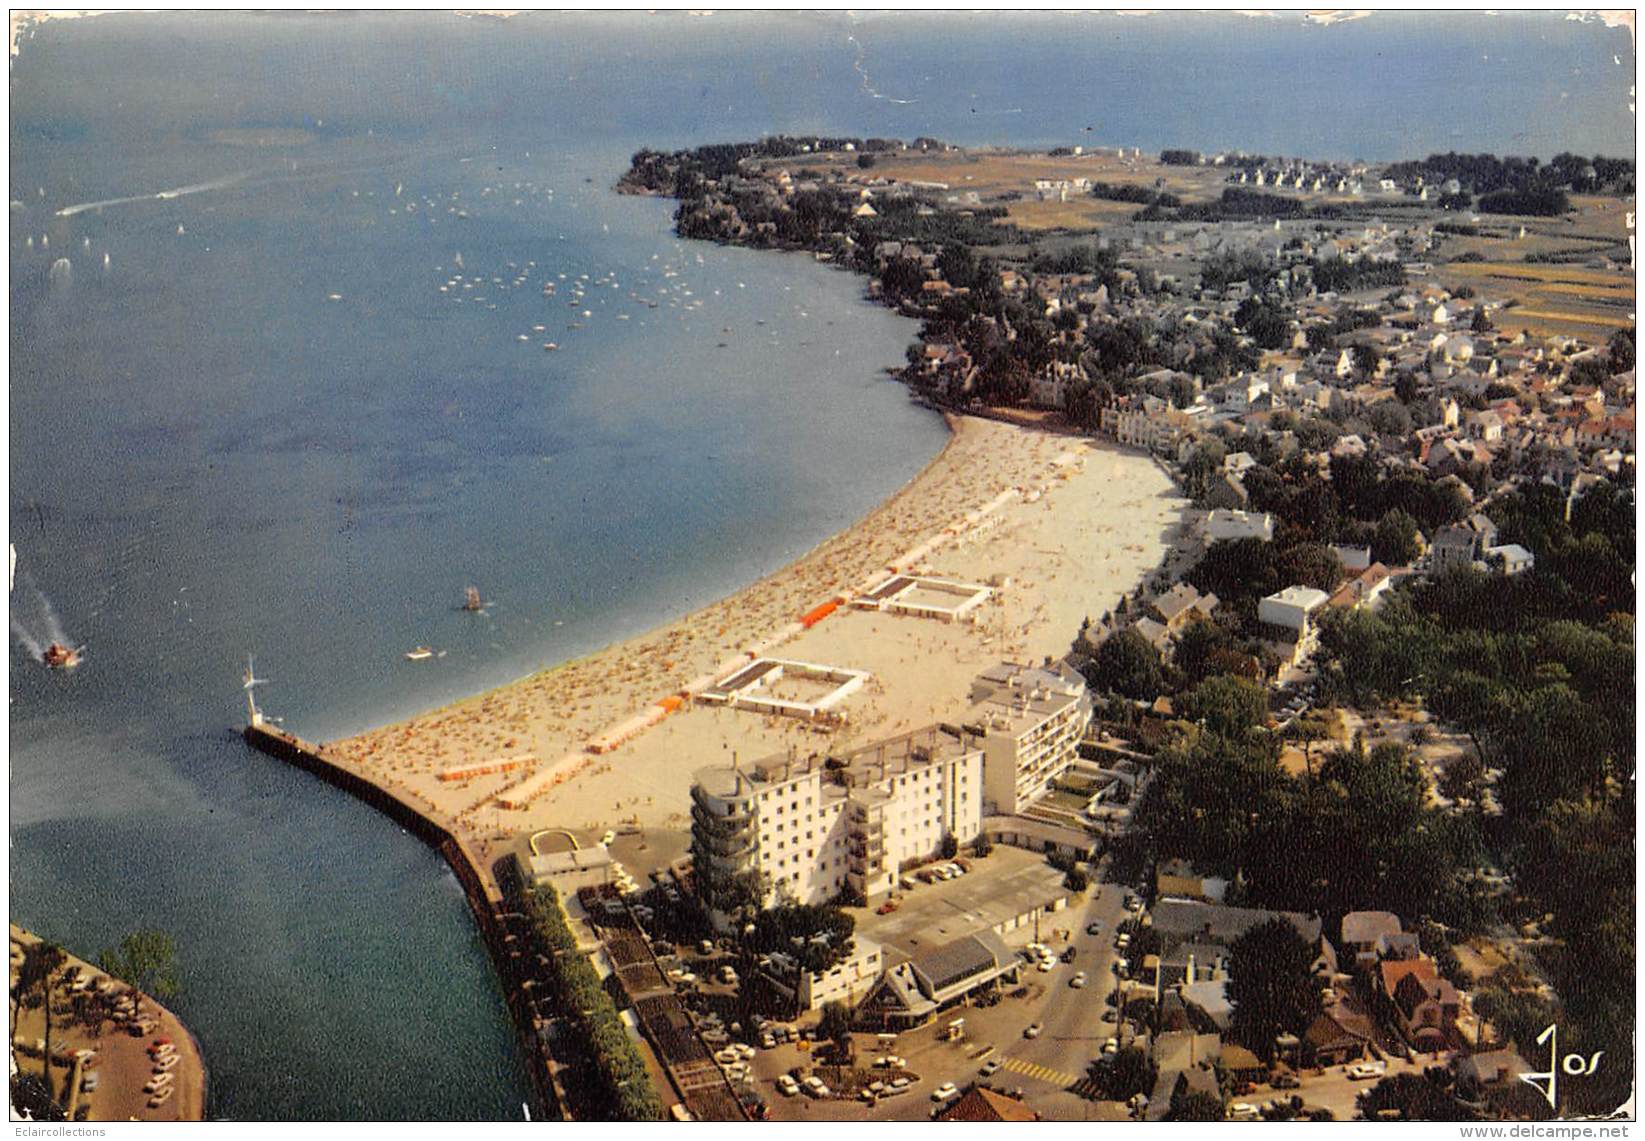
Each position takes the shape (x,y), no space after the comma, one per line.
(1060,525)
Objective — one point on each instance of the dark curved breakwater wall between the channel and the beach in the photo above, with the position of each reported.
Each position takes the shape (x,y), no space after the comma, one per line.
(486,903)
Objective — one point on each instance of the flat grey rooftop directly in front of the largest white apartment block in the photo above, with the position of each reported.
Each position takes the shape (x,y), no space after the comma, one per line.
(998,889)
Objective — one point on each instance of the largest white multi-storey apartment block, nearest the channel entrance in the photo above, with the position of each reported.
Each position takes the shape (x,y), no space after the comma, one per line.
(817,826)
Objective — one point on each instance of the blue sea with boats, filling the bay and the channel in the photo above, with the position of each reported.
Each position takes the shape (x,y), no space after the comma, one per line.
(264,428)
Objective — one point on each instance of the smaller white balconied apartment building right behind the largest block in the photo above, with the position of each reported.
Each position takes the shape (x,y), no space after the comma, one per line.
(1031,723)
